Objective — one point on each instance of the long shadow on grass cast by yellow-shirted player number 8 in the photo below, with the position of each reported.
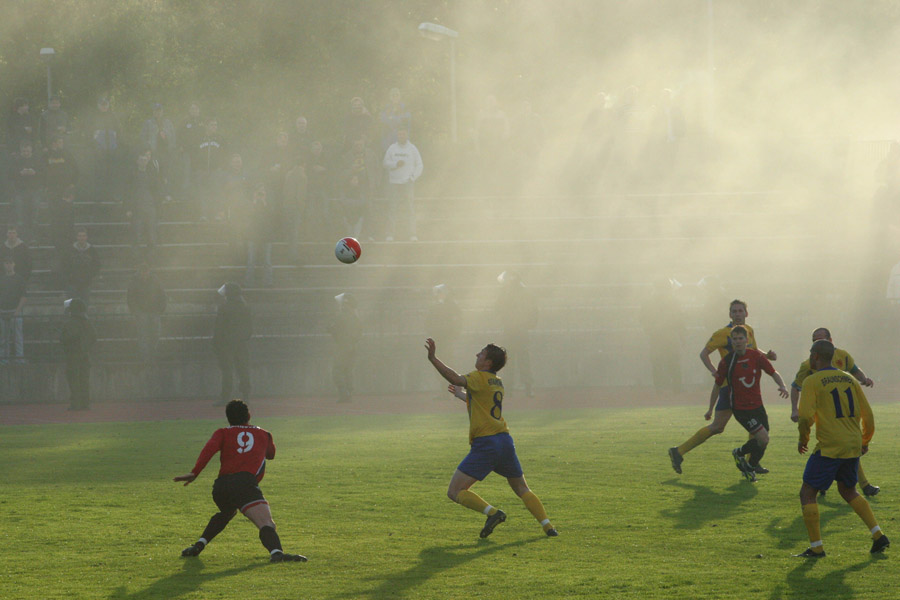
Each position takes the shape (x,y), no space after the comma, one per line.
(432,560)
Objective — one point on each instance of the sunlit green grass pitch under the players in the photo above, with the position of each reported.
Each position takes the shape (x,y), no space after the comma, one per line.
(90,511)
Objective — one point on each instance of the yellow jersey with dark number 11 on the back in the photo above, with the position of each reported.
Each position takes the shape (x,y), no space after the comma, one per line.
(834,402)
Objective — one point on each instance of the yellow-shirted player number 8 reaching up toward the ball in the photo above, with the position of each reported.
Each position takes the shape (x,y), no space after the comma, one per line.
(491,446)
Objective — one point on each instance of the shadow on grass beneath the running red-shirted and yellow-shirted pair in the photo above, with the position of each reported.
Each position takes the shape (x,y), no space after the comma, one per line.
(708,505)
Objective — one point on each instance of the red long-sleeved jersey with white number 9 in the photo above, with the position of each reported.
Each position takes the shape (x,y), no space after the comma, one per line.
(241,448)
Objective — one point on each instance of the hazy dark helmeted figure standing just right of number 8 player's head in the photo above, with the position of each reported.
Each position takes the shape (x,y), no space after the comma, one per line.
(517,315)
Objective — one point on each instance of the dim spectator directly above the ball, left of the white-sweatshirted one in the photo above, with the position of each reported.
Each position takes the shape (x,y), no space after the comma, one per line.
(359,177)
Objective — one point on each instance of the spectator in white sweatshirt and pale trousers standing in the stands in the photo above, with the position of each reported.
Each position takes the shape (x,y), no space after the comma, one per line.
(404,166)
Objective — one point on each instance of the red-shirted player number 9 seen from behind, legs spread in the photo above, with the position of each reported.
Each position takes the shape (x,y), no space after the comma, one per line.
(243,450)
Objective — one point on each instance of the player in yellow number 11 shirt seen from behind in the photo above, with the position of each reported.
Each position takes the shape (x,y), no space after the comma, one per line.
(834,402)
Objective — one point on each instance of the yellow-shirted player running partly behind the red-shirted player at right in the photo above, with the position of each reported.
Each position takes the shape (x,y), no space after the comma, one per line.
(720,396)
